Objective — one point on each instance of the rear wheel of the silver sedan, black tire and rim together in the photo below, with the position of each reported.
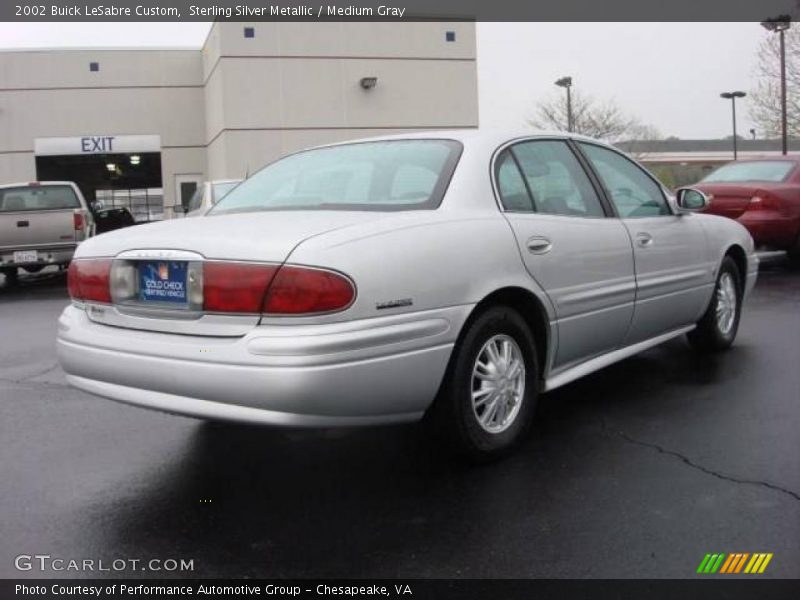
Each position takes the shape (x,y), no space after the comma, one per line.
(487,400)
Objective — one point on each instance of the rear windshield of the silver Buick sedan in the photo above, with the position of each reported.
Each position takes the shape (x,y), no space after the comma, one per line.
(380,176)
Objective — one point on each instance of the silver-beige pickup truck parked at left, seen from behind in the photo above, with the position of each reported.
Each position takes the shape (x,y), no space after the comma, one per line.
(41,223)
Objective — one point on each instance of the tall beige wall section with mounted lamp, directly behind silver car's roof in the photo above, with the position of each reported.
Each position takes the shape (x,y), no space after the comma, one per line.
(298,85)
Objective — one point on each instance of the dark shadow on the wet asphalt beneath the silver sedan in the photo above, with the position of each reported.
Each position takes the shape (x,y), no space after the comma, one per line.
(249,501)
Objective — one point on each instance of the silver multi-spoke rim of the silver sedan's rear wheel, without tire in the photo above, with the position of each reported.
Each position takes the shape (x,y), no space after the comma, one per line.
(498,383)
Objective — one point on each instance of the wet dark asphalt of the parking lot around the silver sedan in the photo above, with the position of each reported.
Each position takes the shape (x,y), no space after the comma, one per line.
(636,471)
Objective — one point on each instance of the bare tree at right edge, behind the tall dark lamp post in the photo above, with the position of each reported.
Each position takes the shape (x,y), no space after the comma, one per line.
(765,100)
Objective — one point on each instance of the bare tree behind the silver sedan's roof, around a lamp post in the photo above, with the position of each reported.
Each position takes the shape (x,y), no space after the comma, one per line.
(602,120)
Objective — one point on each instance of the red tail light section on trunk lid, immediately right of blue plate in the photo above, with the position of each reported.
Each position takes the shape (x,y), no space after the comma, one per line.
(235,287)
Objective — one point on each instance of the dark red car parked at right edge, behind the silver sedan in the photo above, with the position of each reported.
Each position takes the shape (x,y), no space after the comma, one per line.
(764,196)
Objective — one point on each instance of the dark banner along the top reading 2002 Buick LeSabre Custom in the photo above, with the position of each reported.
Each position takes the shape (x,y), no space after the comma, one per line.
(397,10)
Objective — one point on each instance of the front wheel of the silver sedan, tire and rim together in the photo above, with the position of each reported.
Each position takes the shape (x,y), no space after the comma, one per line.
(717,329)
